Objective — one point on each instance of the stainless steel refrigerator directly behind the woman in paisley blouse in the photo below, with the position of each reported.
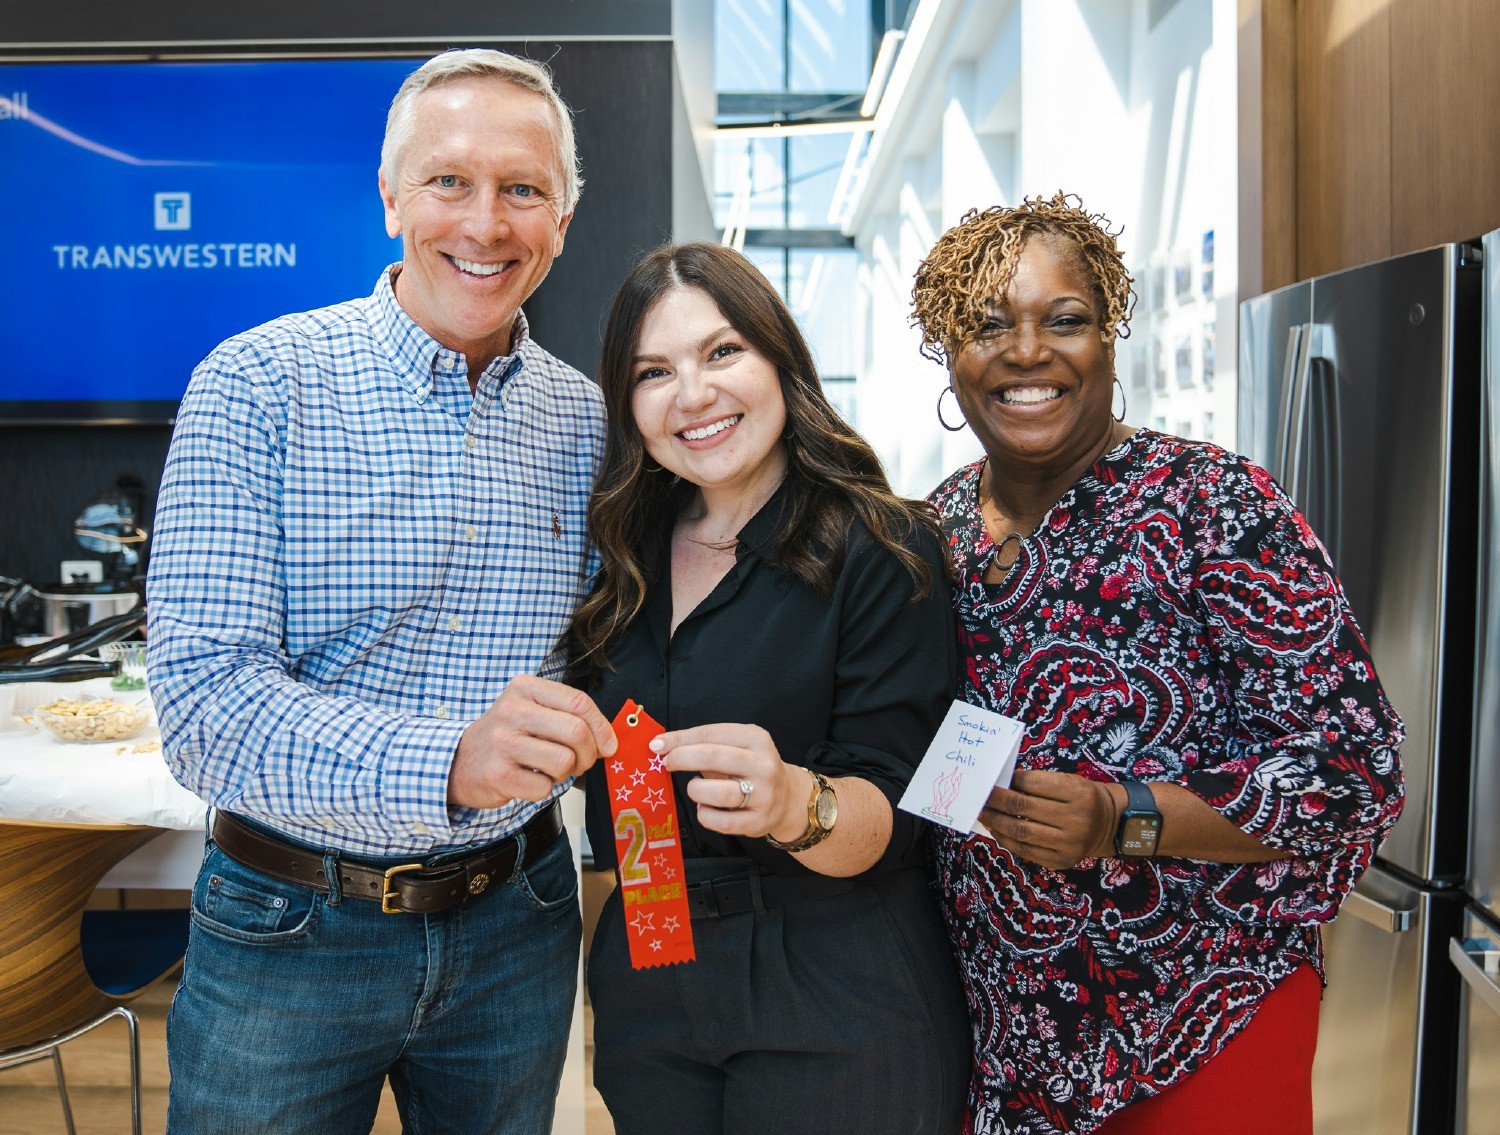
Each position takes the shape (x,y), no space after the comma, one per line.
(1361,392)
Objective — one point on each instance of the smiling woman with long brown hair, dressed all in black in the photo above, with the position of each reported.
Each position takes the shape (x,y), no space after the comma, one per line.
(785,617)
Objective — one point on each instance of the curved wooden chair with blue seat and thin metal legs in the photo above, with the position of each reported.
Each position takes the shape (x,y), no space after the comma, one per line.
(65,971)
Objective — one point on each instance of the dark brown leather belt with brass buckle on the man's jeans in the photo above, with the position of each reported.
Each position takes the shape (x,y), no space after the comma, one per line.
(401,890)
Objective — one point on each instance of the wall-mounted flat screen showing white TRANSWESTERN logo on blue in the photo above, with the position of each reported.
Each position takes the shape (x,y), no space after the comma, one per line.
(154,209)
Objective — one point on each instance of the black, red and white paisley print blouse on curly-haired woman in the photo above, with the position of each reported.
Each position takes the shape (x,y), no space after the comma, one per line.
(1174,618)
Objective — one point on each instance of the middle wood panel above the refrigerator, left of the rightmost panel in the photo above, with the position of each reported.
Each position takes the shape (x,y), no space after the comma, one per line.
(1343,134)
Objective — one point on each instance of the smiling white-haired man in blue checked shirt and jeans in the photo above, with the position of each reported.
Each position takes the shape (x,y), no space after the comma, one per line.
(370,538)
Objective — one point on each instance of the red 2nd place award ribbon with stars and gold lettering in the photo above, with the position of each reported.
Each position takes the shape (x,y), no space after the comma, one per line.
(647,845)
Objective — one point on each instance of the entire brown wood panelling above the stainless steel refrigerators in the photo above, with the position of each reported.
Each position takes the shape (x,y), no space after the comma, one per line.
(1396,131)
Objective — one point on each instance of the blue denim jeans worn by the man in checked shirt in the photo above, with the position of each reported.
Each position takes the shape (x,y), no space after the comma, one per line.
(295,1007)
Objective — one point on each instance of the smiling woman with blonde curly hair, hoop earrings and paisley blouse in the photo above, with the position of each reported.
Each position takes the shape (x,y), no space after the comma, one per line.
(1208,759)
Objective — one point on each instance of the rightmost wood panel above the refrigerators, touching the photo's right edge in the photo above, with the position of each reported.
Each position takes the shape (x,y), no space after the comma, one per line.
(1445,121)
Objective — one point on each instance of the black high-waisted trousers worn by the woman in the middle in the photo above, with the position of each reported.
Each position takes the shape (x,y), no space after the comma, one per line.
(830,1014)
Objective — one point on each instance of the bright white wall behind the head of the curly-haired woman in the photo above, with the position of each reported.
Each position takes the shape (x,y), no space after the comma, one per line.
(995,100)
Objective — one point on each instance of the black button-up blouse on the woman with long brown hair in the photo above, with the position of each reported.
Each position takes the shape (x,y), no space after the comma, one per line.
(854,686)
